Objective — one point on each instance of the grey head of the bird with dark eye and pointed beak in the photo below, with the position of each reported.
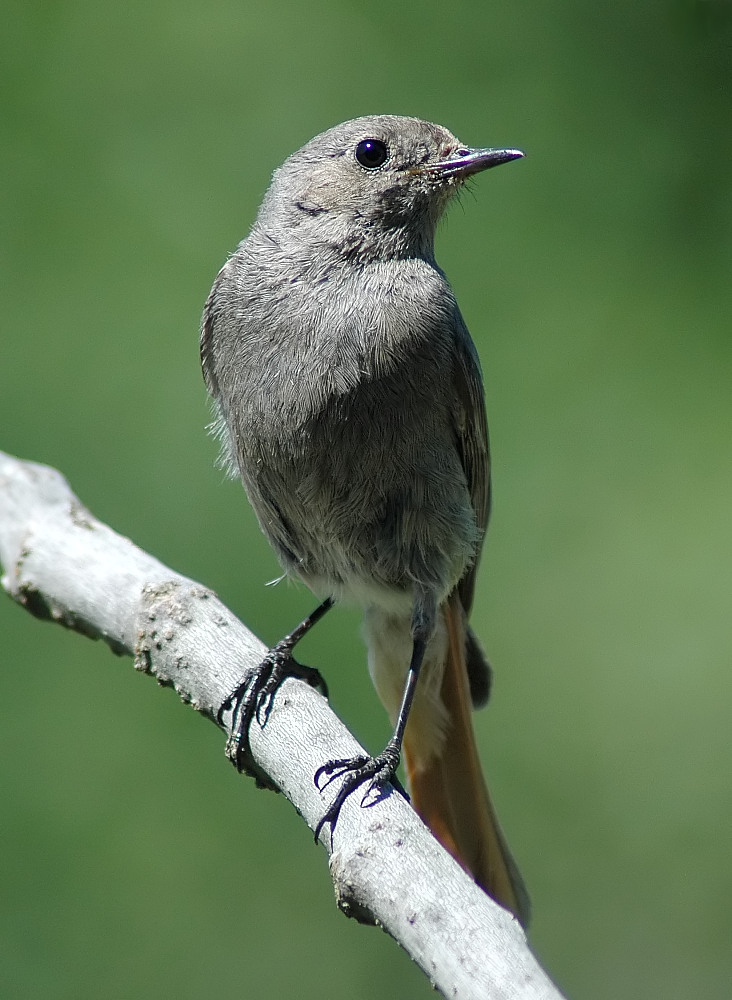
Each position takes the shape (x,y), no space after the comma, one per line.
(375,186)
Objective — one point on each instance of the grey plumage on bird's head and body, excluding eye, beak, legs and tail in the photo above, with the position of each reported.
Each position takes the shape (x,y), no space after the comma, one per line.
(344,375)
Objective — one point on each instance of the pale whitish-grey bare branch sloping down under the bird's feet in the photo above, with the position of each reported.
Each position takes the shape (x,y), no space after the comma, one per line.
(63,564)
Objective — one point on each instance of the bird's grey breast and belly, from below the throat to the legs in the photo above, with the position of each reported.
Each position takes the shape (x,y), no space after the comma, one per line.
(340,398)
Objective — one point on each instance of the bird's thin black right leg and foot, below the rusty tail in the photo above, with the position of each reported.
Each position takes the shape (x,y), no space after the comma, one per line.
(382,768)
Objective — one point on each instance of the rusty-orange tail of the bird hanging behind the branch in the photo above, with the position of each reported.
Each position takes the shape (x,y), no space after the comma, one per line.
(449,792)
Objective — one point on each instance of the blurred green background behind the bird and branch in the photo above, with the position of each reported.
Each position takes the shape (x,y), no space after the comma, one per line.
(137,140)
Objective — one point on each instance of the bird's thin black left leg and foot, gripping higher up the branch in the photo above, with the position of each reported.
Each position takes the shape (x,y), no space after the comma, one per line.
(253,697)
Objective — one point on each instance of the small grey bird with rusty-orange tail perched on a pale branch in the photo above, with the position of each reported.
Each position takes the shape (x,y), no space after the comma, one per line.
(349,398)
